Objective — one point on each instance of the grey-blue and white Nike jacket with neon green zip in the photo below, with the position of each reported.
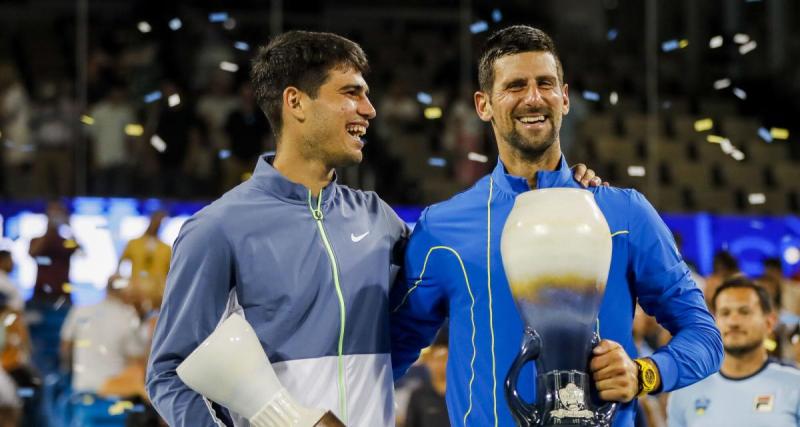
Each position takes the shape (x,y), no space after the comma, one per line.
(311,275)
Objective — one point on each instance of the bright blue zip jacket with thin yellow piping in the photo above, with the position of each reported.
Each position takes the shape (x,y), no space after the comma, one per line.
(453,270)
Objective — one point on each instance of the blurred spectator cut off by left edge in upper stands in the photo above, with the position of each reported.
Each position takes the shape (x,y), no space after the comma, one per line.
(16,148)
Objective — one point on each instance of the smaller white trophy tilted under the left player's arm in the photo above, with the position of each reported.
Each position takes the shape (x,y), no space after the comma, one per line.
(231,368)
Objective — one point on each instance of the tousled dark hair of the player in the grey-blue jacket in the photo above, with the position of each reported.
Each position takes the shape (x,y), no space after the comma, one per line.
(301,59)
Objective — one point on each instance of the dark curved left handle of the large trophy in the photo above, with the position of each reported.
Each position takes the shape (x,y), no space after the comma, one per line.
(526,414)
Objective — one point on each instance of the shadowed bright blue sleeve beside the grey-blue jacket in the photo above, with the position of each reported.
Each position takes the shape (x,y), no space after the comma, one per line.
(416,301)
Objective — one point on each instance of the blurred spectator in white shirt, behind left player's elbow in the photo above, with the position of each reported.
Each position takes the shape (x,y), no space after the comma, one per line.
(98,341)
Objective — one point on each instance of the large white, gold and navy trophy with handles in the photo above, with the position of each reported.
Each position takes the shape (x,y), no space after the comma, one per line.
(556,249)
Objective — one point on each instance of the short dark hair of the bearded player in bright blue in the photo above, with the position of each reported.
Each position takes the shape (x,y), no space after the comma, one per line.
(510,41)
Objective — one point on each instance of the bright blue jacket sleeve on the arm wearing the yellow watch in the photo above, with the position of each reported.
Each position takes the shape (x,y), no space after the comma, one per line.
(665,289)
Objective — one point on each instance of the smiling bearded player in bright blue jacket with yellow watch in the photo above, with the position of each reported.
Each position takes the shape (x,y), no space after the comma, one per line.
(453,268)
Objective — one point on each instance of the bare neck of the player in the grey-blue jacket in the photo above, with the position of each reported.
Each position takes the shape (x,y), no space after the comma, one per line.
(311,173)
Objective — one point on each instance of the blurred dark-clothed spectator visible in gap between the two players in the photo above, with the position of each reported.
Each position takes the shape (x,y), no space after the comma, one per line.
(427,407)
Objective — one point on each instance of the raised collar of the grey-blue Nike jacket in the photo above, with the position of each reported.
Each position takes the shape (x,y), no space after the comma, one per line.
(267,178)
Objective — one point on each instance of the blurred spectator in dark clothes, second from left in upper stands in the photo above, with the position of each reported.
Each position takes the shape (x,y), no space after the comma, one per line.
(53,132)
